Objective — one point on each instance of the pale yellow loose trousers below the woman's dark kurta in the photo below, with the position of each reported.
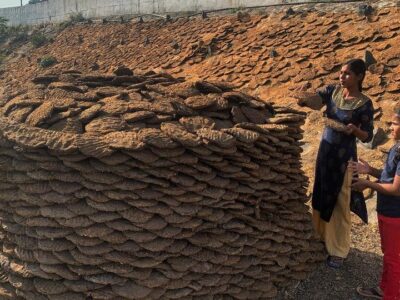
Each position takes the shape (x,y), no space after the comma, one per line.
(336,232)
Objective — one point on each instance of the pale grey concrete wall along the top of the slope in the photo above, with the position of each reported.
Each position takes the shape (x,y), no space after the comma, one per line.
(60,10)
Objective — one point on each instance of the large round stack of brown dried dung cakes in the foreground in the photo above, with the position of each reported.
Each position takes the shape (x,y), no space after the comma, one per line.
(130,186)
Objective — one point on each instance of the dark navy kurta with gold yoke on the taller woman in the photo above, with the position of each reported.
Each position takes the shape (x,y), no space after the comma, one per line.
(336,149)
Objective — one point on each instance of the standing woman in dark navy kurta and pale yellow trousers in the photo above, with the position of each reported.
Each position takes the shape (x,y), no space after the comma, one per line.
(332,197)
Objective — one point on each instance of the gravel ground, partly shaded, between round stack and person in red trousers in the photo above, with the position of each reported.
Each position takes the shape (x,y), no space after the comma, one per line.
(362,267)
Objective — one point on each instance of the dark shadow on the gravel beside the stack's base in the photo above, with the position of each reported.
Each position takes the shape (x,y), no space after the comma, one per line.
(360,268)
